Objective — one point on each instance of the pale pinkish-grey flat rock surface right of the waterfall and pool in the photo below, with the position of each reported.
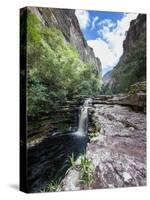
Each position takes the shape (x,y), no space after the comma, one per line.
(118,153)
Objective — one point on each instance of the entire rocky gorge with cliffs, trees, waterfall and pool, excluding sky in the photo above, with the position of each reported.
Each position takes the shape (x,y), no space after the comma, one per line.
(82,134)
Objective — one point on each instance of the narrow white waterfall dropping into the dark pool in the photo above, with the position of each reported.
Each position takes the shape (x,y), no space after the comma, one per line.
(83,120)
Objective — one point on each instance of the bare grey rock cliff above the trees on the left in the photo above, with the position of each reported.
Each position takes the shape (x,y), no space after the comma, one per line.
(66,21)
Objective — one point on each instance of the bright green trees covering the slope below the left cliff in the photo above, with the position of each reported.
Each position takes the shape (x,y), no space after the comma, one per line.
(55,71)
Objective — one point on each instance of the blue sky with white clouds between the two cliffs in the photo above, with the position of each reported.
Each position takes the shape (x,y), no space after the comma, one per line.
(105,33)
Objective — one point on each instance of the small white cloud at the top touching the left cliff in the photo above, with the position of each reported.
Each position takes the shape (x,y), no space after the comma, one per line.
(83,18)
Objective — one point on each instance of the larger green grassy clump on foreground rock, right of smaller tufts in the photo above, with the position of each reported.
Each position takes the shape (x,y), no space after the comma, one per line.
(86,171)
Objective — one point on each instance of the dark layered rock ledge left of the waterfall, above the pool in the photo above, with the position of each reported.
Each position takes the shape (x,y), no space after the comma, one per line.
(61,119)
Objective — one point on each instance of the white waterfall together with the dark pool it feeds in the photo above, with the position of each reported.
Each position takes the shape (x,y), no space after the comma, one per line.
(48,160)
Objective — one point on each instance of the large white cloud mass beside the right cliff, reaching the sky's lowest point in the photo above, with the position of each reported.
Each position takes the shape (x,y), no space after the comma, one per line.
(109,45)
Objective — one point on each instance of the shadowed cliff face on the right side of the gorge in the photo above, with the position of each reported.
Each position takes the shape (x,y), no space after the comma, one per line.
(132,65)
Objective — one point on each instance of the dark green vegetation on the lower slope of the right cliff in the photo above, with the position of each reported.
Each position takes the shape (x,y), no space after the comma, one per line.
(132,70)
